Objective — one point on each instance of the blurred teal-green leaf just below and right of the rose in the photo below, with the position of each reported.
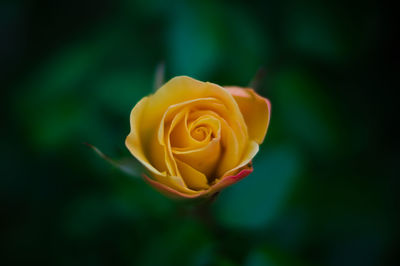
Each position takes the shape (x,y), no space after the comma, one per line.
(269,185)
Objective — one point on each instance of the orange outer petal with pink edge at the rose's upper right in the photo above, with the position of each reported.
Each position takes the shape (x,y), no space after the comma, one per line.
(255,110)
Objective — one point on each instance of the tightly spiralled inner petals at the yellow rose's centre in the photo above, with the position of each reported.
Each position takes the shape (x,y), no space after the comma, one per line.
(194,135)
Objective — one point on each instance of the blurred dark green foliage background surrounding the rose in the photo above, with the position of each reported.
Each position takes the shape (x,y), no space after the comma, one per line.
(324,185)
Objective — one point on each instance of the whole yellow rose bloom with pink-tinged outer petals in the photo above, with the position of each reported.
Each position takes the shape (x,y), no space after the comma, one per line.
(195,138)
